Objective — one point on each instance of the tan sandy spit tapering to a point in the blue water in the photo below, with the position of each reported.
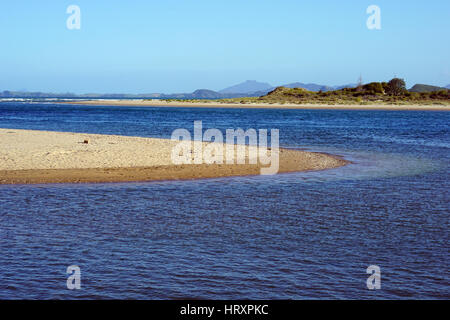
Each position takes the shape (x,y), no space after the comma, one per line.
(28,156)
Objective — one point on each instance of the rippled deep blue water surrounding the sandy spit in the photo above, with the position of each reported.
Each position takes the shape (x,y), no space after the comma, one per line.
(292,236)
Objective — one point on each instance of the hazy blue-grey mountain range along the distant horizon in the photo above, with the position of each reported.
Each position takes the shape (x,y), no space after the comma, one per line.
(249,88)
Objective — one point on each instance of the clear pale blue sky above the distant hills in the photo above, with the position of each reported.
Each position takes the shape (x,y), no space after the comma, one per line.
(182,45)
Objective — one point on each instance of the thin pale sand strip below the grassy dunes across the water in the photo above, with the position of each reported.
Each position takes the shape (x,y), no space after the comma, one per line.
(163,103)
